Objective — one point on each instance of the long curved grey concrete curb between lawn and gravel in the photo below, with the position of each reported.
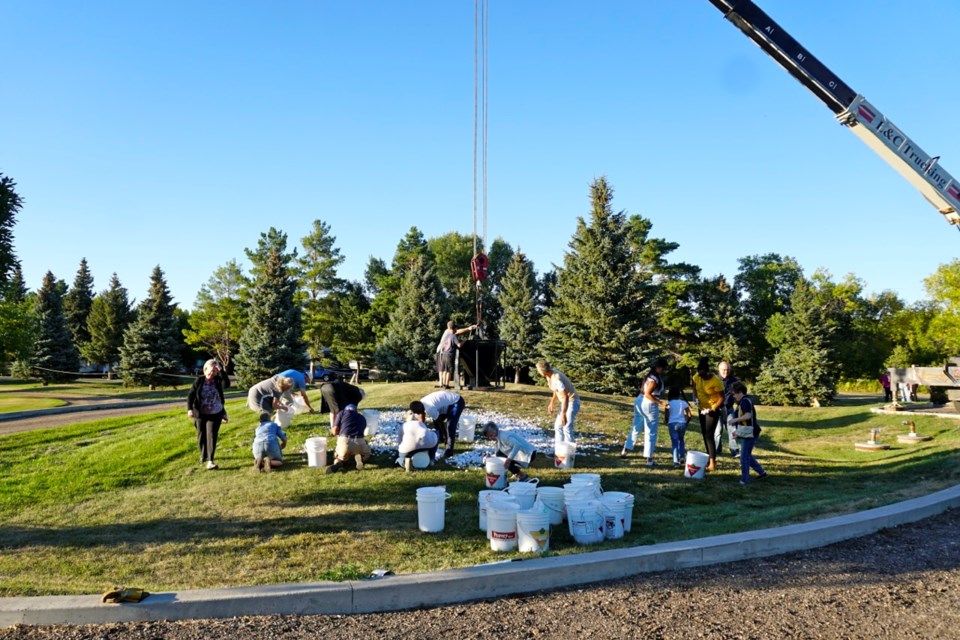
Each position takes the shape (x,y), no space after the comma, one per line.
(472,583)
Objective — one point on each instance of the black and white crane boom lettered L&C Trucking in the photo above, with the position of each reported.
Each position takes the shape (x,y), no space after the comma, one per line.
(852,109)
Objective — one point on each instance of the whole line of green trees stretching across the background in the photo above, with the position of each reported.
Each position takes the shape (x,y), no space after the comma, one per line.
(615,304)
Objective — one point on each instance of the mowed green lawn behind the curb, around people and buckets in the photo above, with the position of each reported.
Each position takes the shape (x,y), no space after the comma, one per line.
(125,501)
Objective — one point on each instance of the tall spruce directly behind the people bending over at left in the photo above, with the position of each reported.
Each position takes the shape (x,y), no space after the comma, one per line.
(273,337)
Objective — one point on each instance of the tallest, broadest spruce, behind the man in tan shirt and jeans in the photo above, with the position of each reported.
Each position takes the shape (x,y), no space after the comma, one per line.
(599,328)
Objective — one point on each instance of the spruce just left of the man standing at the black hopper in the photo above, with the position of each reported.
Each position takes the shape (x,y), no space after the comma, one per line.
(410,342)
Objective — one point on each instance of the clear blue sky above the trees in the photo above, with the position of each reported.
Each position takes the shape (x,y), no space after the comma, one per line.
(175,133)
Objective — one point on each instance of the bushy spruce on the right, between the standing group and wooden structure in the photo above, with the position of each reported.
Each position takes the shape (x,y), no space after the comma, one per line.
(801,372)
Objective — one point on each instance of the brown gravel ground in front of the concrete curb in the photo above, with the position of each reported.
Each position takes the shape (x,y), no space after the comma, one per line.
(898,583)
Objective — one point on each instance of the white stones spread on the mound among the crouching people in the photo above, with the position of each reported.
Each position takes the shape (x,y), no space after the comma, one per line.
(471,454)
